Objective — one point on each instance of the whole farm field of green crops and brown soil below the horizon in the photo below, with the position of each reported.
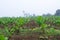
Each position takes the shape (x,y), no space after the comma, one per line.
(30,28)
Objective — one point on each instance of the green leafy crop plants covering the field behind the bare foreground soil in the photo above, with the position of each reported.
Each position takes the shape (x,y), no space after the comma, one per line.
(48,26)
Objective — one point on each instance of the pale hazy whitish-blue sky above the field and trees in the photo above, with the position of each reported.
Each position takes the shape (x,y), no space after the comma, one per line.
(39,7)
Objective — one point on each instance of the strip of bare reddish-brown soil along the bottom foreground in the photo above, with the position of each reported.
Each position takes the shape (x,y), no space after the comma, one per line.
(33,37)
